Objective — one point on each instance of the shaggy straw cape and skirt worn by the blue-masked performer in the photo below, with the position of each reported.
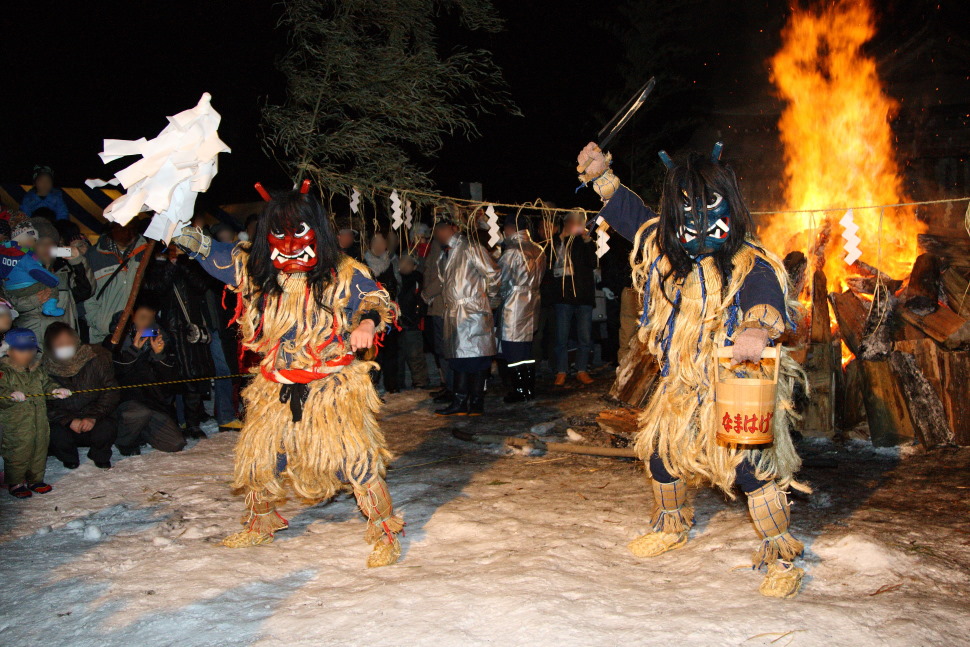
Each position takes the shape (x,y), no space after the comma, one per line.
(683,326)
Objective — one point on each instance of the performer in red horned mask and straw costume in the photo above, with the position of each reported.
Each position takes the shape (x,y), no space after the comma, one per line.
(311,407)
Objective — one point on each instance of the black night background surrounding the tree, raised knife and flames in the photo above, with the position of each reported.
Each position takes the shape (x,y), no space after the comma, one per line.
(78,72)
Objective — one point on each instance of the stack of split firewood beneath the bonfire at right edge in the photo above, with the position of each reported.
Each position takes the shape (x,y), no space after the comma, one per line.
(910,346)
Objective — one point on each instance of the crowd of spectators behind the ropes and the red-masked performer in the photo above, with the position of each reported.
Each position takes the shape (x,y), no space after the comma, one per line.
(57,323)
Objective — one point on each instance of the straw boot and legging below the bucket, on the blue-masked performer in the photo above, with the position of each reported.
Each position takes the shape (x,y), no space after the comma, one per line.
(769,510)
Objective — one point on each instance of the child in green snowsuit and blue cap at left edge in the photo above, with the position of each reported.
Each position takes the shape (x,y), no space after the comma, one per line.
(25,429)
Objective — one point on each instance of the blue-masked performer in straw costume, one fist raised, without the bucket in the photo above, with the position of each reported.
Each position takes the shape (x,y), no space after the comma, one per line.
(706,283)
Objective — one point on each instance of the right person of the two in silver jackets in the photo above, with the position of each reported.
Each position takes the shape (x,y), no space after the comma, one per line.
(522,265)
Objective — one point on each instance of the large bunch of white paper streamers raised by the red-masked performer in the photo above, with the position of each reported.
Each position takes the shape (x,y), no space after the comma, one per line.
(174,168)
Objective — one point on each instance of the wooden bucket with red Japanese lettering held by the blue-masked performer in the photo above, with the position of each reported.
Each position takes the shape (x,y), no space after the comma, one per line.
(746,405)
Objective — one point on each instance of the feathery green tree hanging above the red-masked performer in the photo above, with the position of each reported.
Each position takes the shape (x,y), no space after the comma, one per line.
(370,96)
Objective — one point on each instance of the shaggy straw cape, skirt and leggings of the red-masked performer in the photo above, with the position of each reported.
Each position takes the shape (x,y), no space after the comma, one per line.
(337,443)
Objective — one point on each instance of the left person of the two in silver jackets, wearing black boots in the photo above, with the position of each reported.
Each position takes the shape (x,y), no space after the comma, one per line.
(469,292)
